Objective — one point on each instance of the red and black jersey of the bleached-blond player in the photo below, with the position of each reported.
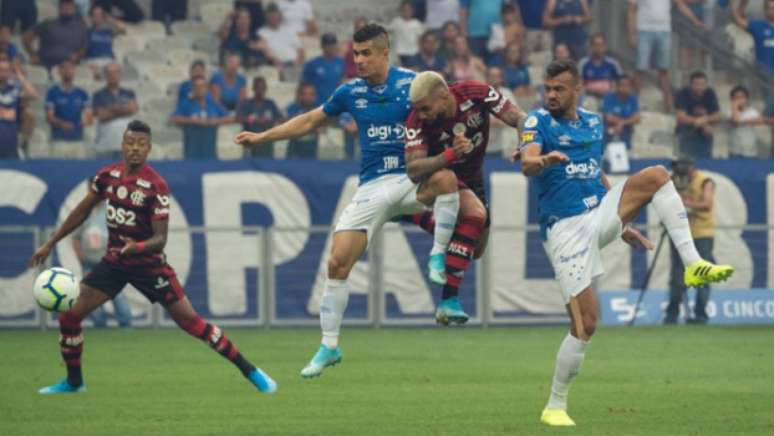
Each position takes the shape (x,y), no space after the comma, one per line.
(474,102)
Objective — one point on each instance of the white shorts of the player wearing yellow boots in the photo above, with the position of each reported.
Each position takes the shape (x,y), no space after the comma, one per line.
(573,244)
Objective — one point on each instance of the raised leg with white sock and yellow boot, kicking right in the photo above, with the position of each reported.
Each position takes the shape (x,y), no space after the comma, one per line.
(654,184)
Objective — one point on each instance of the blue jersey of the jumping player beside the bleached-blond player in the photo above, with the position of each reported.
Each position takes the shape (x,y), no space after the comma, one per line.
(380,112)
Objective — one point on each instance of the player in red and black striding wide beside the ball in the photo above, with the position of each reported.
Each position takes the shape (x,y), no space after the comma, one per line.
(137,200)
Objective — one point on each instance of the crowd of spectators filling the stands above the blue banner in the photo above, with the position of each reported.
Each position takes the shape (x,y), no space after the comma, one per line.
(504,43)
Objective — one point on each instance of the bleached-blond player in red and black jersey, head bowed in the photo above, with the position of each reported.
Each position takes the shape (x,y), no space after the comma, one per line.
(449,128)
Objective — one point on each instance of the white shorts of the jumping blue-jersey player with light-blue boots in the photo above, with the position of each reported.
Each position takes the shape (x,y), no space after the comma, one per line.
(378,201)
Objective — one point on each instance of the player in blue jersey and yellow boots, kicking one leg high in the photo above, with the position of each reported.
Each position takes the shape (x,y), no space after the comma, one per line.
(580,213)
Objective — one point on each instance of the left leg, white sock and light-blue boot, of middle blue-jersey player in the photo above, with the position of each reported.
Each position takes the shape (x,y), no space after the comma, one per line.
(346,248)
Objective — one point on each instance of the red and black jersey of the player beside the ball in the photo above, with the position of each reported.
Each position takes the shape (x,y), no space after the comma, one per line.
(133,203)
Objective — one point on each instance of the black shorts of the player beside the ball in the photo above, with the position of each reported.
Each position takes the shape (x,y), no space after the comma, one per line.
(158,285)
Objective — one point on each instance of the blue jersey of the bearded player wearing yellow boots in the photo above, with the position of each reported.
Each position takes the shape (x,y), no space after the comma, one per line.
(574,187)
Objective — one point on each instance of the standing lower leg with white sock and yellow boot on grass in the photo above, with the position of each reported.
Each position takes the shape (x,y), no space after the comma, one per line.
(583,322)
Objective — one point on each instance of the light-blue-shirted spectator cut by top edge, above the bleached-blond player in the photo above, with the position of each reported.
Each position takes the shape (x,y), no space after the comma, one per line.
(476,19)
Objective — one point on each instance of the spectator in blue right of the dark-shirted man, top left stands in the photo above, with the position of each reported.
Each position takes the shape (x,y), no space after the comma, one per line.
(99,39)
